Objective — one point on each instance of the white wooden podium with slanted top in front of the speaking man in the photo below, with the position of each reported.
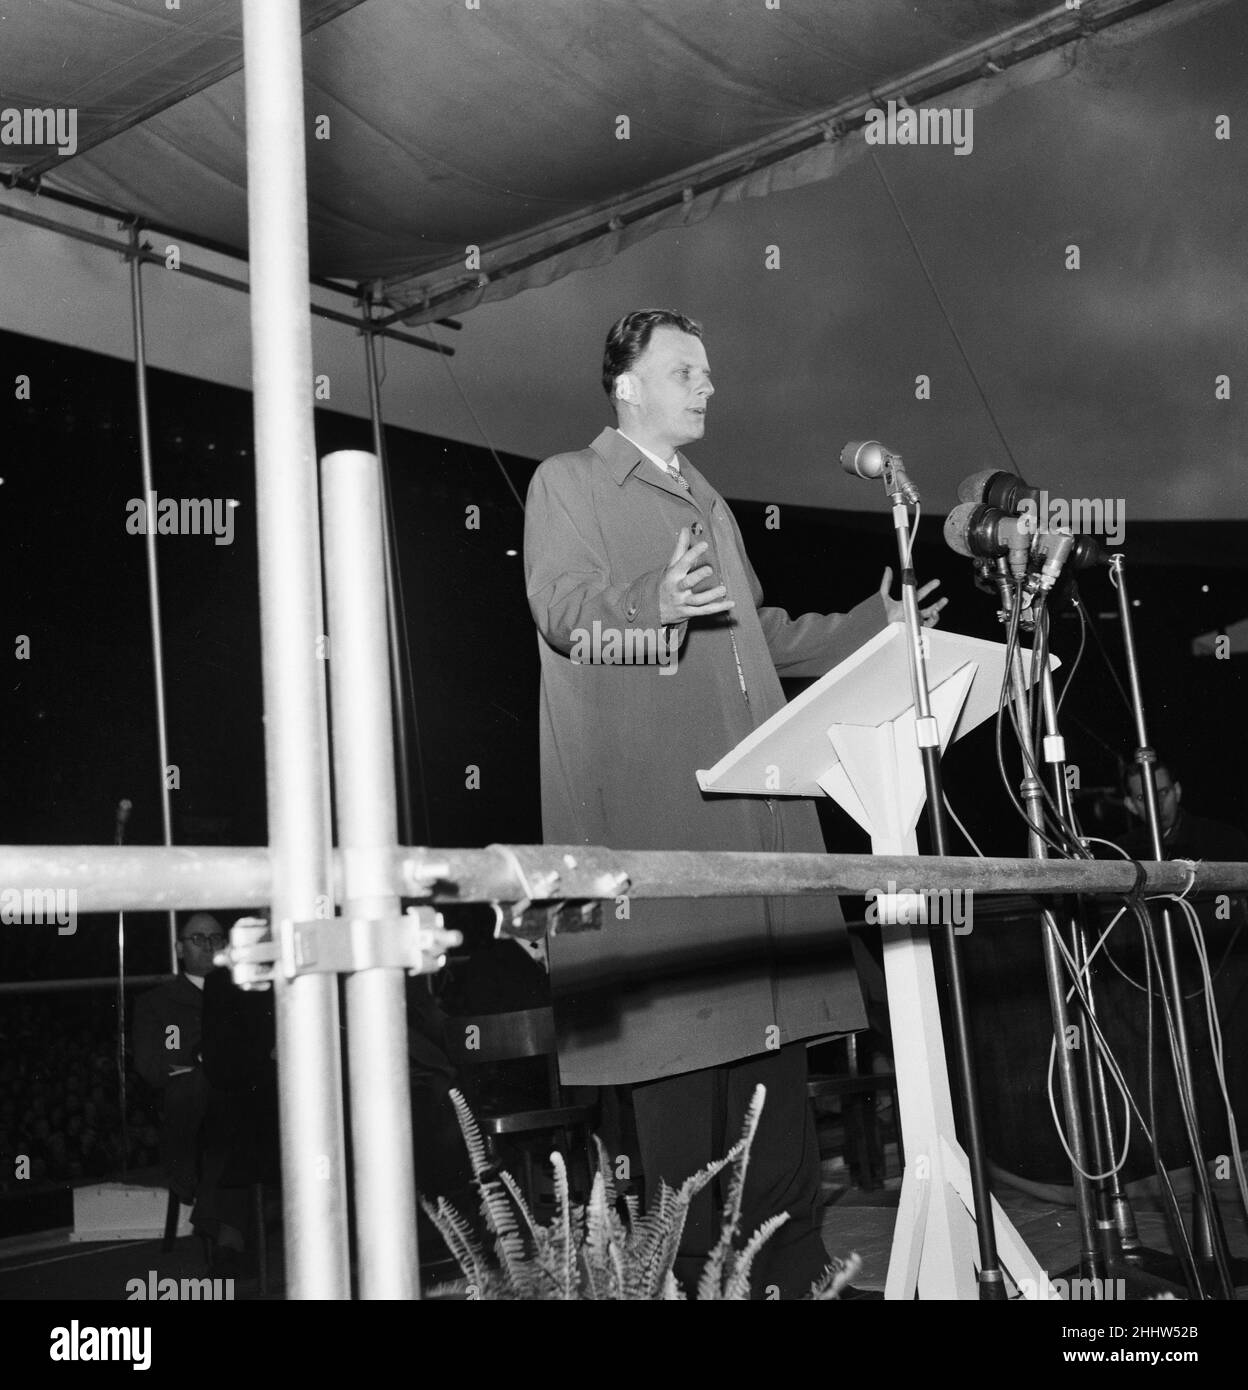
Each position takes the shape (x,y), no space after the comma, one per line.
(853,736)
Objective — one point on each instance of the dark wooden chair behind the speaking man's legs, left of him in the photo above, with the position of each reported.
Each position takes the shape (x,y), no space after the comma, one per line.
(498,1039)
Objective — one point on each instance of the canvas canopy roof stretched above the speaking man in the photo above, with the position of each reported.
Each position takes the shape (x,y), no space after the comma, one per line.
(550,134)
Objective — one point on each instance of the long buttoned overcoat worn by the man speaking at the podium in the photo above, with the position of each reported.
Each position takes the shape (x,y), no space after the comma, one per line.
(671,986)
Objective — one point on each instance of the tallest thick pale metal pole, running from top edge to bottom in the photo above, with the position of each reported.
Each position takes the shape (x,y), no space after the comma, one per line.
(293,632)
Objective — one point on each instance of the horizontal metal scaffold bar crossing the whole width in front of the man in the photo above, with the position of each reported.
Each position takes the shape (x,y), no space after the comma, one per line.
(137,878)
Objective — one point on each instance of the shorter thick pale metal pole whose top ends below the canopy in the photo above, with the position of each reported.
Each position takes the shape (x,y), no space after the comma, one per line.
(366,817)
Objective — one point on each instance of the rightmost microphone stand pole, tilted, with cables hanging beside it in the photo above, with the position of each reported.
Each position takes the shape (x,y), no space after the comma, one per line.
(1207,1217)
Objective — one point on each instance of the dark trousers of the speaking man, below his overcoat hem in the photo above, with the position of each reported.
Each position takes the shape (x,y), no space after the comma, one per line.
(686,1122)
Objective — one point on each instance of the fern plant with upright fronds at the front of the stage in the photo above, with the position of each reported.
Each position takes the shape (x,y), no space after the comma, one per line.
(590,1252)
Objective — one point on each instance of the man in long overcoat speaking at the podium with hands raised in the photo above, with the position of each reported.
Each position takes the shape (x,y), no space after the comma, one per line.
(658,657)
